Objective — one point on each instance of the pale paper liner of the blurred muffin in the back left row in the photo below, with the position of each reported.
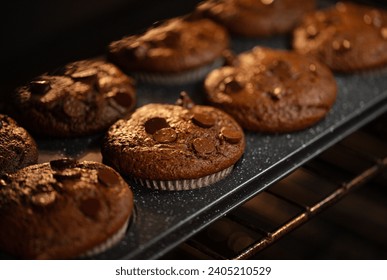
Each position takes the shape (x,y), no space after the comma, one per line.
(170,79)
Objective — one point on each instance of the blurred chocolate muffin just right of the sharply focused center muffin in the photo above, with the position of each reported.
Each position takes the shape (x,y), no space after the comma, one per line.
(273,91)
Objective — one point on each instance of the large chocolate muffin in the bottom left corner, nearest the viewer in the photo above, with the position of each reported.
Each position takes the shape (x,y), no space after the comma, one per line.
(63,209)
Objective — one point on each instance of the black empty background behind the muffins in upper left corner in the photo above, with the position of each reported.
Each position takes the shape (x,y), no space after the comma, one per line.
(38,36)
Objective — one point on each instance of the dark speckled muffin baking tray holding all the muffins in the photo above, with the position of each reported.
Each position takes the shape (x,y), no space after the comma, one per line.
(162,220)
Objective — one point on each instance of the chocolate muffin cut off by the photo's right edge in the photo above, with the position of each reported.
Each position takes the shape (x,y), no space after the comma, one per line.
(347,37)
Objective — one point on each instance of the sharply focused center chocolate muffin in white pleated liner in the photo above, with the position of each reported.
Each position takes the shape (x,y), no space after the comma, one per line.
(174,147)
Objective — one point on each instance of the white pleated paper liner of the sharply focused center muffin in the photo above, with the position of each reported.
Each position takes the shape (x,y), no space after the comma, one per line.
(185,184)
